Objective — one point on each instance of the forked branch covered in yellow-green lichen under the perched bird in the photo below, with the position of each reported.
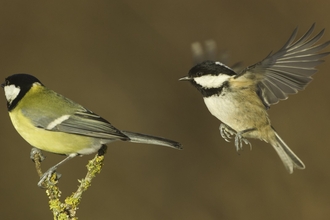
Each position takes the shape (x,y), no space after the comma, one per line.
(67,210)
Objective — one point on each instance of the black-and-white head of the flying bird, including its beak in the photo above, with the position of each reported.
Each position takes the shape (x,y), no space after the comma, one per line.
(209,77)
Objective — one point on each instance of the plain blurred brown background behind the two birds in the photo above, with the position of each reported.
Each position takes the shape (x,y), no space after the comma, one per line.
(122,60)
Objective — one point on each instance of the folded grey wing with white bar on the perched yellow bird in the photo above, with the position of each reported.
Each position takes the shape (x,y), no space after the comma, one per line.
(88,124)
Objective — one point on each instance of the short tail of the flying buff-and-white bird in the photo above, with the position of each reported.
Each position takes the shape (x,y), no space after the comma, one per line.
(289,159)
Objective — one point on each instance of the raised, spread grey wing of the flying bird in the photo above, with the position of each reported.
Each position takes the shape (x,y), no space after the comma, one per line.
(289,70)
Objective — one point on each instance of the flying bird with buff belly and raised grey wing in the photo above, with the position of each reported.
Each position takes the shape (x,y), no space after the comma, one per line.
(240,99)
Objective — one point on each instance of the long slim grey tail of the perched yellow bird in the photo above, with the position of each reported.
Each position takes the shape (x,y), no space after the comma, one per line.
(148,139)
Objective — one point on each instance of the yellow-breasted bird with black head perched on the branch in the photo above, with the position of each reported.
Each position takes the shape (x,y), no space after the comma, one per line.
(51,122)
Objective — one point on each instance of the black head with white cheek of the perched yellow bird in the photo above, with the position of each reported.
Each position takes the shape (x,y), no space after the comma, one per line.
(16,86)
